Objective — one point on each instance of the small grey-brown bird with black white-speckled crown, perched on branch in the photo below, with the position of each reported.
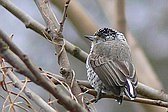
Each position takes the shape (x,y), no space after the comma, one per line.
(109,65)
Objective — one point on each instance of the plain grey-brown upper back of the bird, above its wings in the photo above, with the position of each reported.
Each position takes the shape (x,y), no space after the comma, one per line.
(112,50)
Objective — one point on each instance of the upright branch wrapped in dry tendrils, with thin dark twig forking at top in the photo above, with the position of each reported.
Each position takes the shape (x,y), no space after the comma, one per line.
(59,45)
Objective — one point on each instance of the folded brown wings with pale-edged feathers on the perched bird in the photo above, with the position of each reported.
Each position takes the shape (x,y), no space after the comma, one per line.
(113,72)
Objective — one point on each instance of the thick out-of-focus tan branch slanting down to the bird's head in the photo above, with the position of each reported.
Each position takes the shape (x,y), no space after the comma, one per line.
(76,14)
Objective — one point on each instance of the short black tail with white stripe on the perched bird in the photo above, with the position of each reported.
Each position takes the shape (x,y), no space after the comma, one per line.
(130,90)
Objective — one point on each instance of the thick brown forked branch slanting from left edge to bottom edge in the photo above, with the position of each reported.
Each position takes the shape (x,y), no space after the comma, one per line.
(10,57)
